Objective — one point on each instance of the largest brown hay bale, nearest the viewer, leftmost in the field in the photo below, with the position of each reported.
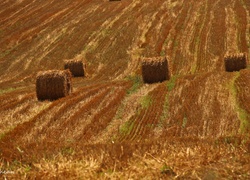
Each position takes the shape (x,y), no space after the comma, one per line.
(53,84)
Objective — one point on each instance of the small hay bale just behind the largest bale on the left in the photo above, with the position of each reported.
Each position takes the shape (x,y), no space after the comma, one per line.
(76,67)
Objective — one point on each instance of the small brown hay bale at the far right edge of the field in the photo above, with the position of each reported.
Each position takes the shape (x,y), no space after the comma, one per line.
(235,62)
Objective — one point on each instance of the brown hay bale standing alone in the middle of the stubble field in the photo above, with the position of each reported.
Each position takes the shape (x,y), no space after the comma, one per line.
(155,69)
